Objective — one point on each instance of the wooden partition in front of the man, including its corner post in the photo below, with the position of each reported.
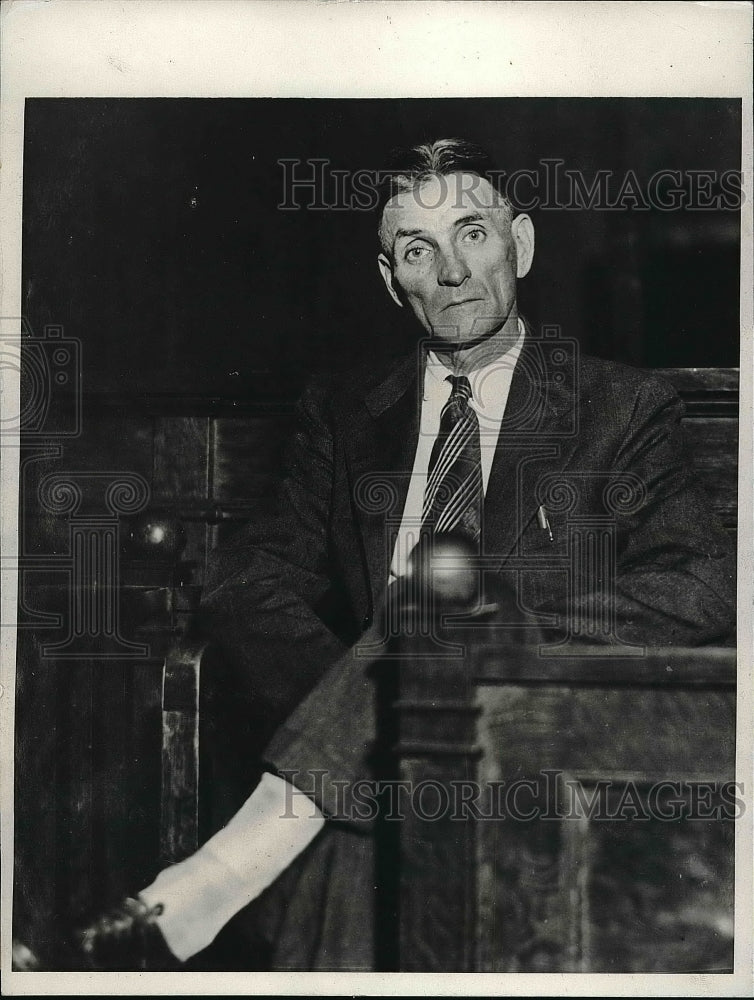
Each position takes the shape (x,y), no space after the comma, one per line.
(557,881)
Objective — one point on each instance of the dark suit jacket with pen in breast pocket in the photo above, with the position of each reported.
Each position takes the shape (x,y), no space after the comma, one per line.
(589,439)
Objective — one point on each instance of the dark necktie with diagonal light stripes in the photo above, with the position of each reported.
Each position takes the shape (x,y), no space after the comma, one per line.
(454,494)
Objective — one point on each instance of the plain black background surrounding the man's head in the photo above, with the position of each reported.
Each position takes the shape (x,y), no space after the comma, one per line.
(152,233)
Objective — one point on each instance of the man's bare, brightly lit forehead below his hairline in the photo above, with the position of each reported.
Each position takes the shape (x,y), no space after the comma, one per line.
(441,199)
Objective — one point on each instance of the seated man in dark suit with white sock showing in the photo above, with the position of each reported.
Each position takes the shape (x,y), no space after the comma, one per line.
(481,430)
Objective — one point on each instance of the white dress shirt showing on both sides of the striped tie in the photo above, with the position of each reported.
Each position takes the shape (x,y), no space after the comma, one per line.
(490,387)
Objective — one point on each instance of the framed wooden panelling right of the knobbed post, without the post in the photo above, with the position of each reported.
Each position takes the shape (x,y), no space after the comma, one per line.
(556,892)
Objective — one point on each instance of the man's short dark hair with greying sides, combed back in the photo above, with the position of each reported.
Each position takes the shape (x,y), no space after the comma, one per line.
(407,168)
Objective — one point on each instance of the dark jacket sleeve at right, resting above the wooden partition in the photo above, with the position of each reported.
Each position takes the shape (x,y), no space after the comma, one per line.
(675,565)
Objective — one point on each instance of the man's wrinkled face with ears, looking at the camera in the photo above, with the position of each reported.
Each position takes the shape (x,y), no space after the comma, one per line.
(456,257)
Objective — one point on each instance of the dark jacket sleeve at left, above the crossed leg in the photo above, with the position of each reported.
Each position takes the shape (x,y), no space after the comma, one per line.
(266,589)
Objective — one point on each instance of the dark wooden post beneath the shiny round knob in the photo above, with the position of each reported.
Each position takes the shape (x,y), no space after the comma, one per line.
(432,731)
